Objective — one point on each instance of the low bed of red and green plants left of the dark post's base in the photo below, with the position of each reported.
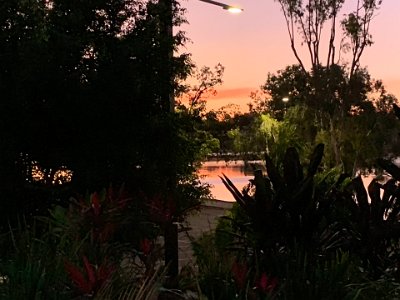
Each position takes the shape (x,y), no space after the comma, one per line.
(104,243)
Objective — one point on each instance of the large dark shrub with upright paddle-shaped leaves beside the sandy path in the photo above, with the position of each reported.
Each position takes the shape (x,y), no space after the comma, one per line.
(281,230)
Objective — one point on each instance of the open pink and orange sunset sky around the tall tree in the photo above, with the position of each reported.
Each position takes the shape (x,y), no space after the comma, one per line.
(256,42)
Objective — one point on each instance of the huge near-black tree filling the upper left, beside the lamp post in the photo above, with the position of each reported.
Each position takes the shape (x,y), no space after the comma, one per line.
(83,87)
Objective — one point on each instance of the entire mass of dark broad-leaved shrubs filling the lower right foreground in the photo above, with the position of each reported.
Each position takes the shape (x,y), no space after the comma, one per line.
(308,235)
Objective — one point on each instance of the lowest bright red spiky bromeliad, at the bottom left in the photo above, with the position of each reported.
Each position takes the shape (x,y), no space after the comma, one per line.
(89,281)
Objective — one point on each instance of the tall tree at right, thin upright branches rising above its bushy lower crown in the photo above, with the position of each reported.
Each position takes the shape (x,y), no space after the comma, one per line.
(337,102)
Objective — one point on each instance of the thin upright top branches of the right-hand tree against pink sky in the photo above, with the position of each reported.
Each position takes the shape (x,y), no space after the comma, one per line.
(311,20)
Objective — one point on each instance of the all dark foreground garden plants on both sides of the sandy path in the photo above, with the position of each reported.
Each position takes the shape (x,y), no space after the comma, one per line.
(297,233)
